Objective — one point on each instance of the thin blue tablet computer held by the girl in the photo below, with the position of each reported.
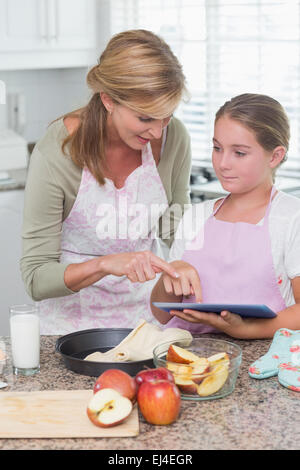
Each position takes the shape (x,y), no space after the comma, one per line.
(244,310)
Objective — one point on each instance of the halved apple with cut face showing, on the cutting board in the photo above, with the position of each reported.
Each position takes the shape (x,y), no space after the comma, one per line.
(108,408)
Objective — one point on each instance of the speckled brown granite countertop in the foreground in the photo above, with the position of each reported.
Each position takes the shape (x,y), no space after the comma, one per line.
(259,414)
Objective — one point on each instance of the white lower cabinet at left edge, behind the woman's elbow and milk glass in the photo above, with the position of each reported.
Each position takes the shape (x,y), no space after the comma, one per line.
(12,289)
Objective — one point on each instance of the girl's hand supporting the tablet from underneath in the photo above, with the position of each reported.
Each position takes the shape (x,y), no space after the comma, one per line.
(230,323)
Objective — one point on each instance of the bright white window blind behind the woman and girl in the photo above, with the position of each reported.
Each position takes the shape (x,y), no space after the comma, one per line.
(226,47)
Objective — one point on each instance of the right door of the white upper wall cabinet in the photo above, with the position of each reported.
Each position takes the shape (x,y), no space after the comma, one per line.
(74,24)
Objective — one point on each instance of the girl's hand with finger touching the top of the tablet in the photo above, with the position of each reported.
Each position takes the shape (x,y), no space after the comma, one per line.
(188,282)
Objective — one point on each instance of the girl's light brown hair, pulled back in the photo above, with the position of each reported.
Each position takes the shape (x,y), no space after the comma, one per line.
(263,115)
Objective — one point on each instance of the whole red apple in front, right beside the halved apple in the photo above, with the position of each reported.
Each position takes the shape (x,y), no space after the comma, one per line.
(159,401)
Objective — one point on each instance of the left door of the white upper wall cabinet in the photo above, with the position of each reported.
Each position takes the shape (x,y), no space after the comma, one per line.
(22,25)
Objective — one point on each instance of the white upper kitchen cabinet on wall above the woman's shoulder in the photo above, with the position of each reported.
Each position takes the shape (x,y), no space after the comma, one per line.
(47,33)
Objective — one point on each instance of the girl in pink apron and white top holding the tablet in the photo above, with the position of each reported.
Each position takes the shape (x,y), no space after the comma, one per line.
(251,238)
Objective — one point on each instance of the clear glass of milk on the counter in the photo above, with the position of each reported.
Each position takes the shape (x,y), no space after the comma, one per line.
(25,339)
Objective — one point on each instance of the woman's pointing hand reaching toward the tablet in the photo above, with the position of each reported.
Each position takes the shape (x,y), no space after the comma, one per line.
(140,266)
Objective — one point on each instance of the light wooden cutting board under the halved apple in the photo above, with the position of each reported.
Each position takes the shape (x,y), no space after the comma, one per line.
(54,414)
